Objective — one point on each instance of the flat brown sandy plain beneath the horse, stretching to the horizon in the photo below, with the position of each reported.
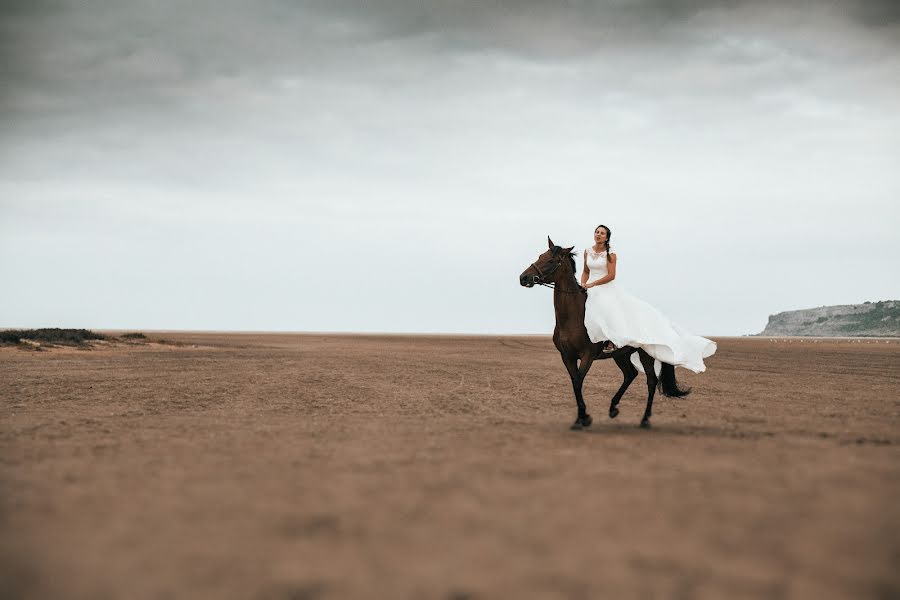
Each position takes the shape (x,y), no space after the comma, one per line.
(327,466)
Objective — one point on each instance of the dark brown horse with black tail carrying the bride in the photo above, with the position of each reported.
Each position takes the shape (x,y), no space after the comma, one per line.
(556,268)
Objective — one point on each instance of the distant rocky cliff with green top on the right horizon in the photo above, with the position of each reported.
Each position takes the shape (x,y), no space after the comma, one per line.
(872,319)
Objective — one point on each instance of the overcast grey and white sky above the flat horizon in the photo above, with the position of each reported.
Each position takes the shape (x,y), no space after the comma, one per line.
(393,165)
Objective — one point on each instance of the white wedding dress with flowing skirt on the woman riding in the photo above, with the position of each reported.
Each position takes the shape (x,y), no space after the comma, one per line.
(611,313)
